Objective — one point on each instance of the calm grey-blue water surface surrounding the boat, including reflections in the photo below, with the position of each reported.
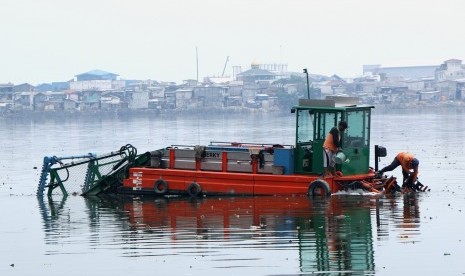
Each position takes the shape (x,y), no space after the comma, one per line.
(419,234)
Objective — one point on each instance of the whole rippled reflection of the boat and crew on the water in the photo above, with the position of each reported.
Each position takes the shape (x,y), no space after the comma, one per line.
(333,235)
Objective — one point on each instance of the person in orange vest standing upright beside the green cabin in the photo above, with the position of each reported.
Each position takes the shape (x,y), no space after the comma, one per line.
(331,146)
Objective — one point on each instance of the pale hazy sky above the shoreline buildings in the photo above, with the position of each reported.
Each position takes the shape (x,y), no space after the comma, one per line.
(53,40)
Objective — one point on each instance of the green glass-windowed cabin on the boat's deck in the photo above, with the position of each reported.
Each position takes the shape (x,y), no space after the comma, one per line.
(314,120)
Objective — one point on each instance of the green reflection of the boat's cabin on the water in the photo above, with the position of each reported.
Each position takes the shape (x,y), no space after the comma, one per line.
(339,238)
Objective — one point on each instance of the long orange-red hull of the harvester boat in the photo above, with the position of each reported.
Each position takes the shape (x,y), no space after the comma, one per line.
(228,183)
